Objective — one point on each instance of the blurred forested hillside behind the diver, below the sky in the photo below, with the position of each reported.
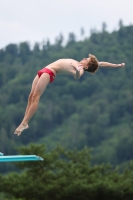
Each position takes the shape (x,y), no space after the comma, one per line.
(95,112)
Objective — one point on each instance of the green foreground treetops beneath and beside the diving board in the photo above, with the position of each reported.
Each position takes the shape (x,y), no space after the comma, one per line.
(66,175)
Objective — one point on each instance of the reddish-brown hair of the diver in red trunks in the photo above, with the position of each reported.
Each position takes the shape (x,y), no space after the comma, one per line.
(93,64)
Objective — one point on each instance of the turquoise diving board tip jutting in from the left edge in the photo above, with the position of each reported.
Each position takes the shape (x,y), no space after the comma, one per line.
(18,158)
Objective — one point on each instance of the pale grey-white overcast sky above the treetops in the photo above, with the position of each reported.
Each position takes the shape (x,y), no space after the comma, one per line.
(38,20)
